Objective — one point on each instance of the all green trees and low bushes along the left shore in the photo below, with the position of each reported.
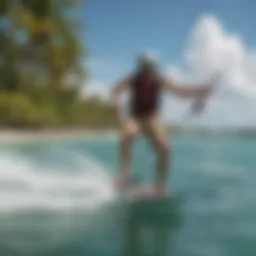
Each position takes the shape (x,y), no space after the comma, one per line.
(40,50)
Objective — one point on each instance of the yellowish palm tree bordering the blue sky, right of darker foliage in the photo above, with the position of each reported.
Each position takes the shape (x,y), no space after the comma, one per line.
(52,38)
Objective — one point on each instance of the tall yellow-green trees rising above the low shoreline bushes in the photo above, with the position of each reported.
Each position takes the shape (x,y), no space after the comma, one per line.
(51,46)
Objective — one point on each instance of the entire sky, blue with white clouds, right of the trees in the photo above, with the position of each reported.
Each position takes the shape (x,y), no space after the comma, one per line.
(193,41)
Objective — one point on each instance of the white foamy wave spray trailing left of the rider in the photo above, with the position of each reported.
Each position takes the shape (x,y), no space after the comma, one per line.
(26,184)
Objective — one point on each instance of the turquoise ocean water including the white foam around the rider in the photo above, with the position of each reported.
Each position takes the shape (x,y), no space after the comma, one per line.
(56,199)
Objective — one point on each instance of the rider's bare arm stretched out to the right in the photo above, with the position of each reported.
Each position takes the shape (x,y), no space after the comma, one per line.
(182,91)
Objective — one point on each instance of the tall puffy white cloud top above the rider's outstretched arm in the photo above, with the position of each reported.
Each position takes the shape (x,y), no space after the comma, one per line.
(211,49)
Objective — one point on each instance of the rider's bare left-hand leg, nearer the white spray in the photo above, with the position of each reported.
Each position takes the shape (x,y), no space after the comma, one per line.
(130,130)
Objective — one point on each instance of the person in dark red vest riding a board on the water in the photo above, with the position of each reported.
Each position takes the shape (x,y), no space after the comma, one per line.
(145,86)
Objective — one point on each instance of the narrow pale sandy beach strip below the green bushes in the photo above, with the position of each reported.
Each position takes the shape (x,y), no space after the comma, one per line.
(16,136)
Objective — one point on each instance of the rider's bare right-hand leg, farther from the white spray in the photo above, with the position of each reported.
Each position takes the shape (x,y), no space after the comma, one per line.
(157,133)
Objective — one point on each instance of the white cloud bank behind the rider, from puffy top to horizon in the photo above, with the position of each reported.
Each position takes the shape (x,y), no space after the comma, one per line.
(211,49)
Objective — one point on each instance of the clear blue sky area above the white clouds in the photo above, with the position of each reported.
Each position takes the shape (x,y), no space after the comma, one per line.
(117,30)
